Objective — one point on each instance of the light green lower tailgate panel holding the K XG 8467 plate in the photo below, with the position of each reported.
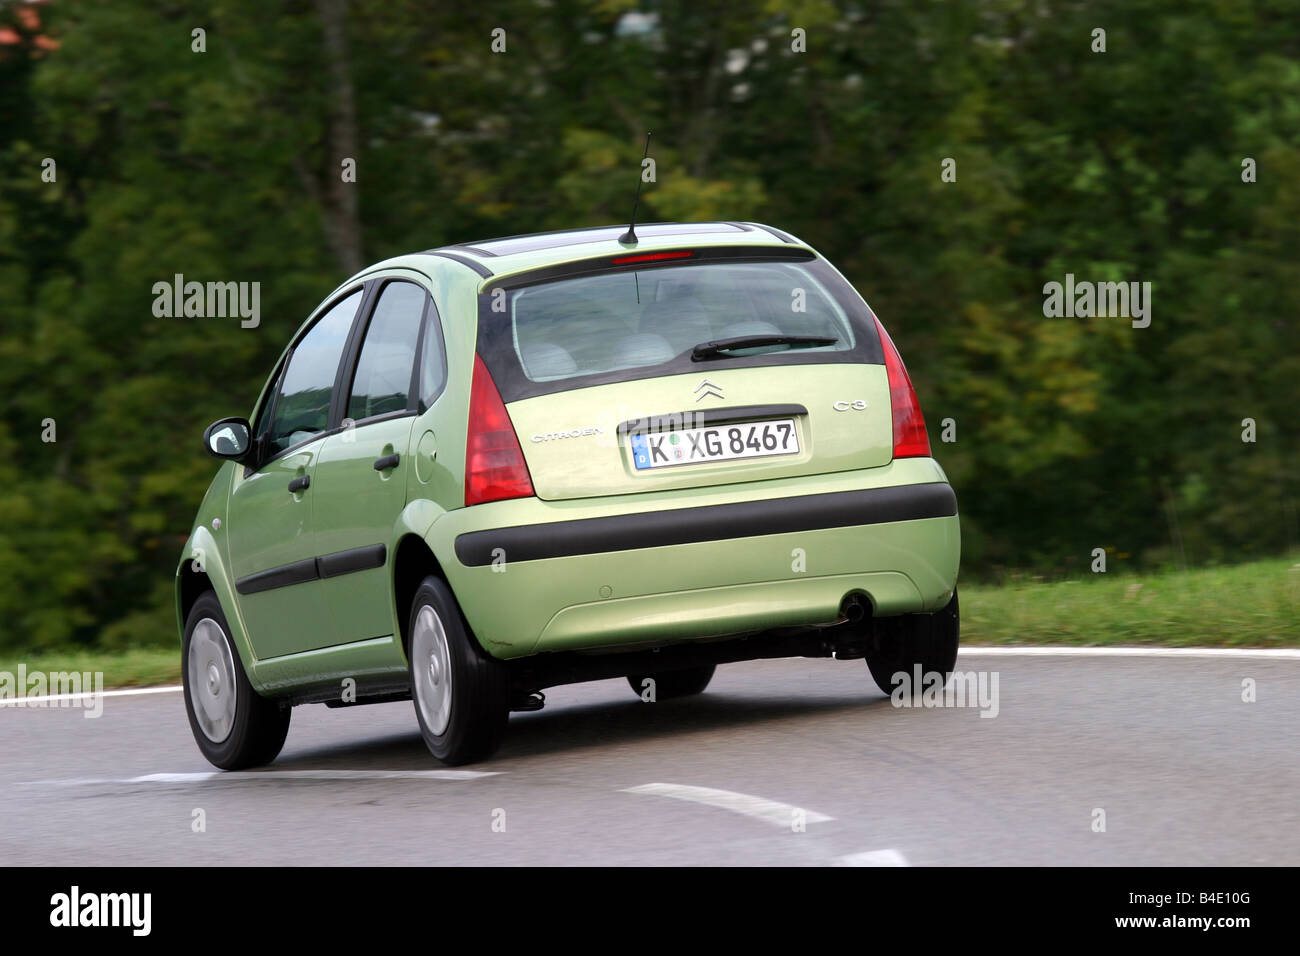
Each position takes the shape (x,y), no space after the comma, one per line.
(709,429)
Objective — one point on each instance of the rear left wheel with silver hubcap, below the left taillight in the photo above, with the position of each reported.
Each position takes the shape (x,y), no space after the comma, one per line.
(462,695)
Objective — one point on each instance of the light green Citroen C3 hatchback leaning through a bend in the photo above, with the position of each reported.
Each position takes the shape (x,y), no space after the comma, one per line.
(496,468)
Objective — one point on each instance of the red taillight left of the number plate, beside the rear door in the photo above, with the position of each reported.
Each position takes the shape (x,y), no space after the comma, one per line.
(495,462)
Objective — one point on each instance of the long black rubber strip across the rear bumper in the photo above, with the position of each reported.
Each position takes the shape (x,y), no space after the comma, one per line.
(708,524)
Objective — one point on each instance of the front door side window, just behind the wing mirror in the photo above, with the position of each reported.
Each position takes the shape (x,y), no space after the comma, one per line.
(302,408)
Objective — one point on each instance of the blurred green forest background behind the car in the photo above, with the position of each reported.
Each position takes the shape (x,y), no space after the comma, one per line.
(224,166)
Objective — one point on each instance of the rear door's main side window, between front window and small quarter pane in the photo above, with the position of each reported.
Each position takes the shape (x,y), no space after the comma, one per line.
(383,380)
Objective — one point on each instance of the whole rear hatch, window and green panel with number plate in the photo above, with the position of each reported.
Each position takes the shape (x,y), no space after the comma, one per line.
(687,369)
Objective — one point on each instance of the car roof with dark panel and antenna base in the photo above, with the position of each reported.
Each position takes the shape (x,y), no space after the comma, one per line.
(513,254)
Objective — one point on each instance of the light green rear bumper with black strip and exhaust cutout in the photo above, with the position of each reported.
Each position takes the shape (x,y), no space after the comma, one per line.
(632,570)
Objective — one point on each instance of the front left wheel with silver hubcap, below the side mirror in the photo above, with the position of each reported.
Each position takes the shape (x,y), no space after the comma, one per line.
(235,726)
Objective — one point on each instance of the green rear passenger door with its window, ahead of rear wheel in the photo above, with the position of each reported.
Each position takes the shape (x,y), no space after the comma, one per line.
(362,473)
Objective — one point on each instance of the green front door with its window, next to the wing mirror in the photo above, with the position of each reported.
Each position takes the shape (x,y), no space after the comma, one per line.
(270,524)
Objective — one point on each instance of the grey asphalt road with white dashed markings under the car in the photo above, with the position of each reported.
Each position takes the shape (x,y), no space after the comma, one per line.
(1185,772)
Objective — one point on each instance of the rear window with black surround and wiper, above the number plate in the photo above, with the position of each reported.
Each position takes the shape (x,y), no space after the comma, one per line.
(623,325)
